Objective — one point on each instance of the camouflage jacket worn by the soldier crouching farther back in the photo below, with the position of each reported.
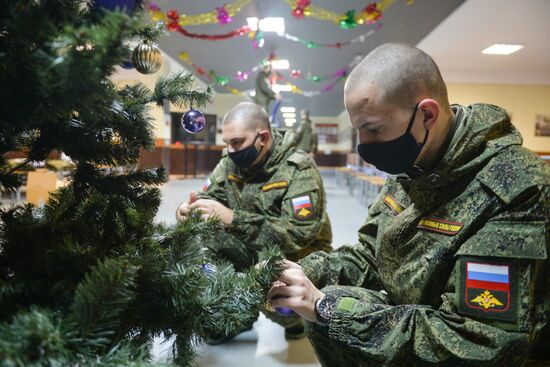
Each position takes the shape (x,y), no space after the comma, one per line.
(282,202)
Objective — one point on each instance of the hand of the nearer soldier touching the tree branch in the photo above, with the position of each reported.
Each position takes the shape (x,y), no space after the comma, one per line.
(297,293)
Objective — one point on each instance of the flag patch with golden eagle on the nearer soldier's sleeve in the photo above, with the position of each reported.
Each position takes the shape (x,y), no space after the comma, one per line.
(488,290)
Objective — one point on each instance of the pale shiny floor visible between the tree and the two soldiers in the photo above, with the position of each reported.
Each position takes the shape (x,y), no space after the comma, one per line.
(265,344)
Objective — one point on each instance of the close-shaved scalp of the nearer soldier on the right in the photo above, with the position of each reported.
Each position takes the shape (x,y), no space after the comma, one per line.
(401,73)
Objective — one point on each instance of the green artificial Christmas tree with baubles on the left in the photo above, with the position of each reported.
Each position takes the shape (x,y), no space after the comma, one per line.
(89,279)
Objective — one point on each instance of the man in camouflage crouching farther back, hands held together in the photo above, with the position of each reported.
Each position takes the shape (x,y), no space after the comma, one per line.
(265,192)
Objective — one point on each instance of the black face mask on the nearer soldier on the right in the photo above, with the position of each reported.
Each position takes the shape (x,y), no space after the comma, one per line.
(394,156)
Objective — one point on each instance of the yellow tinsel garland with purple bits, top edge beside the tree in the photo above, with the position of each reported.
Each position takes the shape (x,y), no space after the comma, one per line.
(221,15)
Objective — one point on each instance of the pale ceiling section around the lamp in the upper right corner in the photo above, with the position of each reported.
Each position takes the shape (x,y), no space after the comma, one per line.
(456,43)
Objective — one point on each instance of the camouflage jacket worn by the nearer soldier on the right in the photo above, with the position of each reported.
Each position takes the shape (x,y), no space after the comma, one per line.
(459,255)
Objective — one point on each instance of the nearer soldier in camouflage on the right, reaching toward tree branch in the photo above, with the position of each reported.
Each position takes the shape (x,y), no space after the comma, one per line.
(451,268)
